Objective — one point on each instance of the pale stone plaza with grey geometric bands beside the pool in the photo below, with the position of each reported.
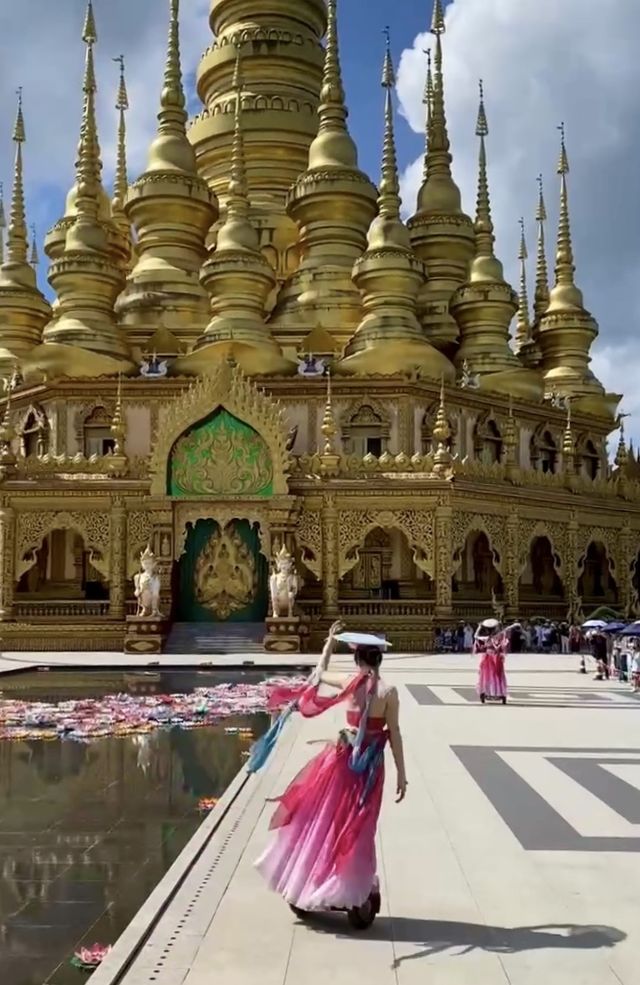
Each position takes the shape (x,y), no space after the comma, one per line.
(515,858)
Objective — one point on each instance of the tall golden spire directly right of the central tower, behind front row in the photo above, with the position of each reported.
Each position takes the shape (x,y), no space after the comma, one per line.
(333,204)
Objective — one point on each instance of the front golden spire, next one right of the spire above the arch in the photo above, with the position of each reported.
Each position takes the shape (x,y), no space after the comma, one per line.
(389,338)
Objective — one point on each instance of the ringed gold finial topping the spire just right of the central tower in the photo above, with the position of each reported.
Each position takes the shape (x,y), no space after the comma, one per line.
(333,146)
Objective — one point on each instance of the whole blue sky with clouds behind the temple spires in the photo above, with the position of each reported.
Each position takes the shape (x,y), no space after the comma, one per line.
(533,80)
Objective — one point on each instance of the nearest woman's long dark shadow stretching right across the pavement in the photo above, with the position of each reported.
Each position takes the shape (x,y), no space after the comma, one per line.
(439,936)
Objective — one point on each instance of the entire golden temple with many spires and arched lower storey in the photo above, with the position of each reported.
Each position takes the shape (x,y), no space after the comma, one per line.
(249,346)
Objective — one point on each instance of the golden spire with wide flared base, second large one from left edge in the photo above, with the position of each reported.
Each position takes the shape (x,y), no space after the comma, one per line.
(83,339)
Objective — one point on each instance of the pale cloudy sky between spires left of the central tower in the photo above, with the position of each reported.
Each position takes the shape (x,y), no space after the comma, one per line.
(42,51)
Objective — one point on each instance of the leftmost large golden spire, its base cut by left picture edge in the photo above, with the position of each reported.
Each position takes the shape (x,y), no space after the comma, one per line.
(23,309)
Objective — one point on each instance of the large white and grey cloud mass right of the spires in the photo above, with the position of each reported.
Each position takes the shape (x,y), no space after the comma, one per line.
(544,61)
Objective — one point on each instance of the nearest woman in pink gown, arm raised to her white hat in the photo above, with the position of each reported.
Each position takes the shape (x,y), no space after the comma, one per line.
(322,854)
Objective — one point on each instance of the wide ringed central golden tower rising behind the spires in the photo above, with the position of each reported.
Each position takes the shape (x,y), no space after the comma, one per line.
(282,59)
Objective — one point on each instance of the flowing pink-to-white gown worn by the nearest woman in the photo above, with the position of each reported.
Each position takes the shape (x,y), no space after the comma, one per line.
(321,854)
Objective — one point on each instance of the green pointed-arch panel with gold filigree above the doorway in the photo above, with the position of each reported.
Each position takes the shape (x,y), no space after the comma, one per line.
(220,456)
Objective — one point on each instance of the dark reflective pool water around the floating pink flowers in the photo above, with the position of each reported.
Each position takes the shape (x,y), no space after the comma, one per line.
(87,831)
